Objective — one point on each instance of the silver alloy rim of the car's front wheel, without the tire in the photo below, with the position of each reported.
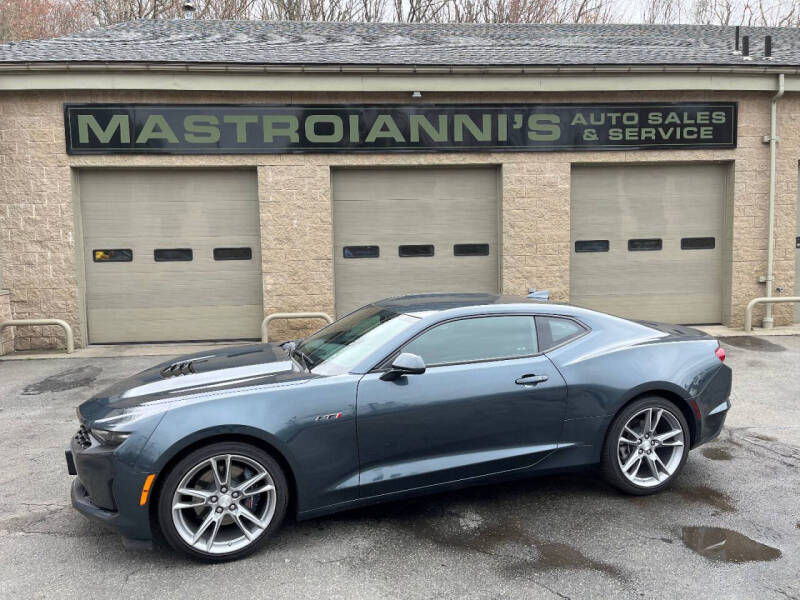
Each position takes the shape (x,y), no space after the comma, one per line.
(223,504)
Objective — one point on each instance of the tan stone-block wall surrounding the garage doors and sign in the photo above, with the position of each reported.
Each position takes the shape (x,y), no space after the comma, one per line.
(37,236)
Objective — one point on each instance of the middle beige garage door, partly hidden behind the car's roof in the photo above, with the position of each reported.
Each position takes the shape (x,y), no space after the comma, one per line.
(406,231)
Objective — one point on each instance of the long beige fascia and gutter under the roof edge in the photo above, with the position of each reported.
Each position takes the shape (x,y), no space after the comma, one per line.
(391,79)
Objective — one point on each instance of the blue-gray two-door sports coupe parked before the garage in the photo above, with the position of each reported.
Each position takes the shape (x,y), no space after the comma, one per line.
(405,396)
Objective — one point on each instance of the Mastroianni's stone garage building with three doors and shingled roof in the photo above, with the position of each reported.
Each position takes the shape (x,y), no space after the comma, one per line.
(147,198)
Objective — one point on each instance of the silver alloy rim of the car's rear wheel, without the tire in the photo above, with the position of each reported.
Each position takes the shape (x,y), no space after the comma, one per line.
(650,447)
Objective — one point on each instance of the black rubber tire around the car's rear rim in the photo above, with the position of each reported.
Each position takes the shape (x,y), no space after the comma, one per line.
(610,463)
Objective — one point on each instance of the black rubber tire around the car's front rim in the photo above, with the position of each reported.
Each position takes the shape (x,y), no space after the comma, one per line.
(191,461)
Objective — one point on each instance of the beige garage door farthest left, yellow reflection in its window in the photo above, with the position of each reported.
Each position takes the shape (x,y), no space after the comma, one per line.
(171,255)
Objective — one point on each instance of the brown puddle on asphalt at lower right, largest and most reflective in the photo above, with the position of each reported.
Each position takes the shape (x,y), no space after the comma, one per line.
(726,545)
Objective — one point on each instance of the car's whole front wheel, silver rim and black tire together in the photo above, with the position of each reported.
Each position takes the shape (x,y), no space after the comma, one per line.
(222,502)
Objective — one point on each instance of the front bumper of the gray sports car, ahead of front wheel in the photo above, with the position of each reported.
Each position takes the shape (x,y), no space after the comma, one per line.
(107,490)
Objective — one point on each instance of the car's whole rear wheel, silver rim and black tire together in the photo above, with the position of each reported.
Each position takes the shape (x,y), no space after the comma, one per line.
(646,446)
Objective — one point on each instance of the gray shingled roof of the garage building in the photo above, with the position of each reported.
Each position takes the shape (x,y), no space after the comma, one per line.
(311,43)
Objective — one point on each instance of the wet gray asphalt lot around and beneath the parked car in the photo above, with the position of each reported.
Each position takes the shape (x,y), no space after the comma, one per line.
(564,536)
